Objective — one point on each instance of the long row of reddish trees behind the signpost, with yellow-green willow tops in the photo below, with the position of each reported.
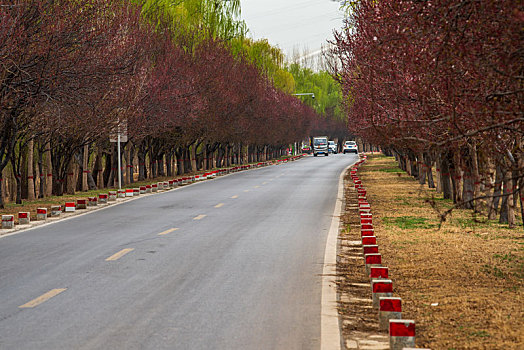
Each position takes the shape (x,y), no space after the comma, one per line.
(193,91)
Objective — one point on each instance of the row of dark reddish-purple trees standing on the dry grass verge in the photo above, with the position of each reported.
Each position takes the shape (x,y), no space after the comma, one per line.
(440,84)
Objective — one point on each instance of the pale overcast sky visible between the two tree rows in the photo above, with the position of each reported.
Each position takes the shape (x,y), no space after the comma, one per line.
(292,23)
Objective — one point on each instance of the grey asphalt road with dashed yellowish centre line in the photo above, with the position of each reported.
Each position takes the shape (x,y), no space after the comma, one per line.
(238,267)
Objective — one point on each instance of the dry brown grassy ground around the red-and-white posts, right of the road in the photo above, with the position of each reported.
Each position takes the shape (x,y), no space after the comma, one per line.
(462,281)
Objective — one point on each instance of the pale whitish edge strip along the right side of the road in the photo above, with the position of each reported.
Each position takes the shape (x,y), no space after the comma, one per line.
(329,320)
